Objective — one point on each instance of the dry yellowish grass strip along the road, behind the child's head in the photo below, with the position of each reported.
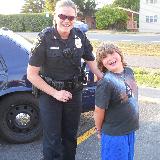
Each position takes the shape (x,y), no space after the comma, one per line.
(133,48)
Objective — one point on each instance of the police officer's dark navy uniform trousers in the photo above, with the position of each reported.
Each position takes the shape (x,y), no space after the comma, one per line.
(60,124)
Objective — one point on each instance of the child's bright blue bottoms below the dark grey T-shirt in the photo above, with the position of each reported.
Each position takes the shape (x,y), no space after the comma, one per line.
(117,147)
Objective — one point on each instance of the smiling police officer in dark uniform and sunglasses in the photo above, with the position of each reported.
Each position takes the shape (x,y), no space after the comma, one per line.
(57,54)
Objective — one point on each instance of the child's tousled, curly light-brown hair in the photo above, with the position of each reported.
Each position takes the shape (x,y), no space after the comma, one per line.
(103,50)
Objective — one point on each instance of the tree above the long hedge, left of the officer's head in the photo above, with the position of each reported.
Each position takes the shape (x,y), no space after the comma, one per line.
(33,6)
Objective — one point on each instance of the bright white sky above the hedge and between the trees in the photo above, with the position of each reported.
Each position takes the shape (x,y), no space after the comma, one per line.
(14,6)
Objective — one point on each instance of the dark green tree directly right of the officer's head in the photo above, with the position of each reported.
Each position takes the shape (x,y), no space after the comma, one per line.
(87,7)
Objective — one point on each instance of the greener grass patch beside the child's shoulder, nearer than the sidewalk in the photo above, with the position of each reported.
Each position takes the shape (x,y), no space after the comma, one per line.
(147,77)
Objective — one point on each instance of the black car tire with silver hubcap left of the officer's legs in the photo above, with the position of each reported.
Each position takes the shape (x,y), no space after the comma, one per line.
(20,118)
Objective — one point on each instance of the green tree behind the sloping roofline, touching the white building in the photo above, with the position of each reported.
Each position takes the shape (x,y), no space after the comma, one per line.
(131,4)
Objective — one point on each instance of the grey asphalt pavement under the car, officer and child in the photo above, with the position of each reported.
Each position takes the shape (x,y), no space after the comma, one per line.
(147,143)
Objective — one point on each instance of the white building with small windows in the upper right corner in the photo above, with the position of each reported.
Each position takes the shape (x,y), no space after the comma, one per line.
(149,16)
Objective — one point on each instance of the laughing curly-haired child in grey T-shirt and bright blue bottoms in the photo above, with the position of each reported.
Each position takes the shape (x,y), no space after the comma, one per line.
(116,111)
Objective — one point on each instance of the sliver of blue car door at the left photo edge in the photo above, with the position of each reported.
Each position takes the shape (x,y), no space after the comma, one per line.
(3,73)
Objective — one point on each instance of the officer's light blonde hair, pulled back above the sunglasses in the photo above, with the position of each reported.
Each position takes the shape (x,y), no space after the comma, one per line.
(65,3)
